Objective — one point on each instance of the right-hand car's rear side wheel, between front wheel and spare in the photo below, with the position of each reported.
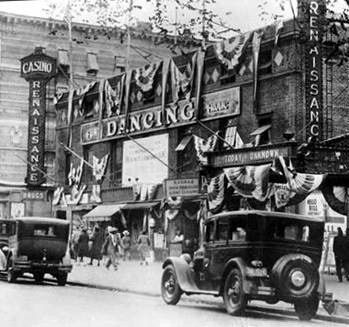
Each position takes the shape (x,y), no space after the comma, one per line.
(234,296)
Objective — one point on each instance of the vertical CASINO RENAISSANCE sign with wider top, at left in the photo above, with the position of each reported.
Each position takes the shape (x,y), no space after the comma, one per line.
(38,69)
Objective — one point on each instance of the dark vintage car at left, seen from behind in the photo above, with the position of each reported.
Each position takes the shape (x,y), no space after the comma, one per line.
(38,246)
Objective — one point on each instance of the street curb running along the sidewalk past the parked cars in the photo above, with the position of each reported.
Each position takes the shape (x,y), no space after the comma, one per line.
(337,319)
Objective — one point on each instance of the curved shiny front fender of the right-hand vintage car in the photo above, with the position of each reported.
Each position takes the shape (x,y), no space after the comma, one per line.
(184,273)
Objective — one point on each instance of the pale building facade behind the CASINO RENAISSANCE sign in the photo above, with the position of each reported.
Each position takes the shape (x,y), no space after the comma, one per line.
(95,56)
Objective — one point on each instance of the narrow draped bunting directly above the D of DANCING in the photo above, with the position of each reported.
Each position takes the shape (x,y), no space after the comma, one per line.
(113,96)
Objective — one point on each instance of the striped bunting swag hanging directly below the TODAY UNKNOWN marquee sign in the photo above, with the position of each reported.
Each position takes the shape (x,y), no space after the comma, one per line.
(250,181)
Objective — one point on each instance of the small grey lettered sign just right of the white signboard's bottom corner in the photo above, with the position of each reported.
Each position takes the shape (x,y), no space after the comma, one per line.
(182,187)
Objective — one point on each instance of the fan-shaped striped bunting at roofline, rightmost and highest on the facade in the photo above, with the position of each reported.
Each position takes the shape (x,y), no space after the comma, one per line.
(229,51)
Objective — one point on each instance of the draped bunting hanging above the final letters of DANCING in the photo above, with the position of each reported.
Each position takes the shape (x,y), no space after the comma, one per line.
(182,82)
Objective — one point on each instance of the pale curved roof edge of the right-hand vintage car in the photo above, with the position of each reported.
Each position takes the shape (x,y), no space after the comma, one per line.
(262,213)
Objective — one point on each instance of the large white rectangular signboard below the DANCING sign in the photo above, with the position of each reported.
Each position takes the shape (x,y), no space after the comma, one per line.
(138,163)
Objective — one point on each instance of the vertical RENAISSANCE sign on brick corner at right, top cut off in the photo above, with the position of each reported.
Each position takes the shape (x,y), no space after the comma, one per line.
(314,16)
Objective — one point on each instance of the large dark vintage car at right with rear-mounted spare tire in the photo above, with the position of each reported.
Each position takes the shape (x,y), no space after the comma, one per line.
(252,255)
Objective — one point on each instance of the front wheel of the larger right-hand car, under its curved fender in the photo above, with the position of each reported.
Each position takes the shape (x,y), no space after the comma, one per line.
(170,289)
